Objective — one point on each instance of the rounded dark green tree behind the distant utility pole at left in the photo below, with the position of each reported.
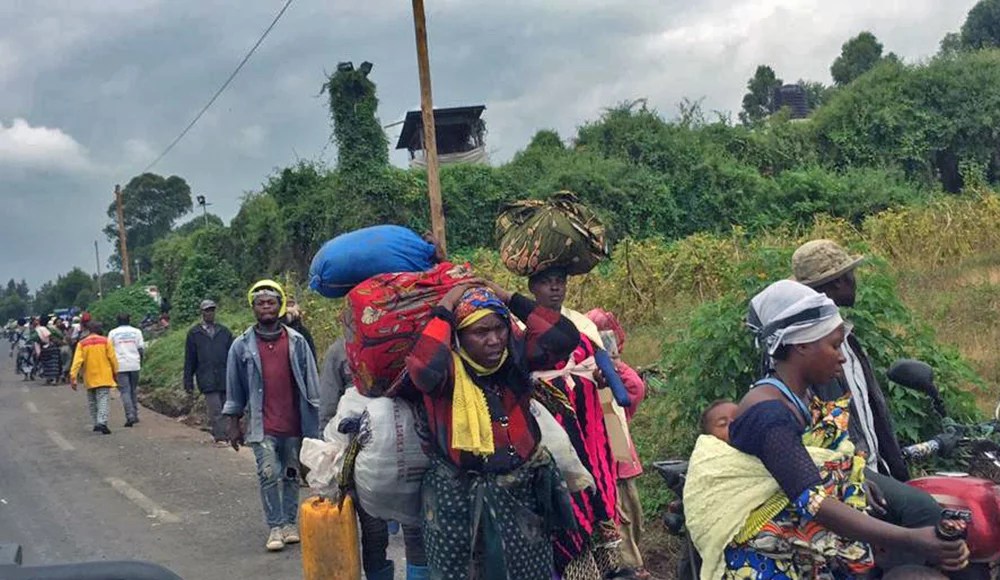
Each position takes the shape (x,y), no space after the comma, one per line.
(152,204)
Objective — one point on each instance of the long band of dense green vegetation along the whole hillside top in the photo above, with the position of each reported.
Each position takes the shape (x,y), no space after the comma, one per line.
(897,135)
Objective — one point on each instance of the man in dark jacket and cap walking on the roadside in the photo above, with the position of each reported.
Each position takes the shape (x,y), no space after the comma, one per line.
(205,359)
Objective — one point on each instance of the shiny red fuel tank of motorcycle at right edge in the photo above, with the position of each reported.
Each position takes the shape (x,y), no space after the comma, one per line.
(981,497)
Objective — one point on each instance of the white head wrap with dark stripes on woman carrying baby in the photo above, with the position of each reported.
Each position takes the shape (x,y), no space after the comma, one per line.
(788,312)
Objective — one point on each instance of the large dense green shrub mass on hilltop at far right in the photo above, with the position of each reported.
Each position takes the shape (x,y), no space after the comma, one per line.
(925,119)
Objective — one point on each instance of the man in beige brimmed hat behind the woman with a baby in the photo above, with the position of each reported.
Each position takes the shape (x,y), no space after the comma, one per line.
(829,269)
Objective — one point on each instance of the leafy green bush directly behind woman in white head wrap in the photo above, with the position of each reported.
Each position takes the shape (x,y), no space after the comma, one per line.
(712,356)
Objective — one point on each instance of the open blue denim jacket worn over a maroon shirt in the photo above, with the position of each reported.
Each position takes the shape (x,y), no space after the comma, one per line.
(245,383)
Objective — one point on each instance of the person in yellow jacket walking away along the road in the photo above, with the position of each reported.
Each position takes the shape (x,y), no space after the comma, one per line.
(95,355)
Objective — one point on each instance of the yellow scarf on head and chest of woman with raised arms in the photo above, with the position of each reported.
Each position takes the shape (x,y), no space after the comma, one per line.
(471,426)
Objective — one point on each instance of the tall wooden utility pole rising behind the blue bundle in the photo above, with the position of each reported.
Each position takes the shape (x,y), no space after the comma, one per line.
(430,136)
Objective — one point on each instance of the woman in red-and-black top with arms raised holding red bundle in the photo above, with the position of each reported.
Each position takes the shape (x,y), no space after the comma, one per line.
(492,496)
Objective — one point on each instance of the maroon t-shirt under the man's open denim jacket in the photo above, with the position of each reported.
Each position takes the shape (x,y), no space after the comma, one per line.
(281,397)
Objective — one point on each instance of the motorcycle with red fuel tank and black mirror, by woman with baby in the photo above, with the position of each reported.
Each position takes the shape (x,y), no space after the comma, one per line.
(974,494)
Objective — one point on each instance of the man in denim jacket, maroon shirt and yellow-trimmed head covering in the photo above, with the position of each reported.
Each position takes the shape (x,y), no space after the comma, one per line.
(271,374)
